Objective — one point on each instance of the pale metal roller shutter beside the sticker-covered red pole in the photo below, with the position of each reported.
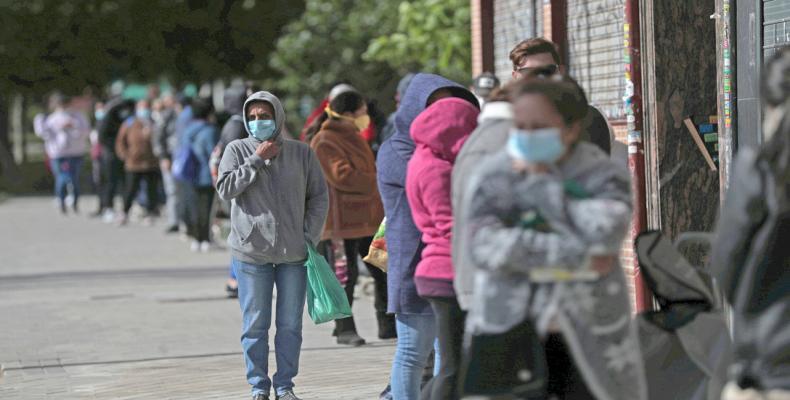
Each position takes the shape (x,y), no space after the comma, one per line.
(595,52)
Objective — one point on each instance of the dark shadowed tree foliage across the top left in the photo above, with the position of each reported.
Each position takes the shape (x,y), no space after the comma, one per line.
(70,44)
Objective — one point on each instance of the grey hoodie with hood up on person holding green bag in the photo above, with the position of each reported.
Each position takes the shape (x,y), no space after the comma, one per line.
(277,205)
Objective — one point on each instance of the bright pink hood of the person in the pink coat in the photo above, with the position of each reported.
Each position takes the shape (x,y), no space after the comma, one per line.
(444,127)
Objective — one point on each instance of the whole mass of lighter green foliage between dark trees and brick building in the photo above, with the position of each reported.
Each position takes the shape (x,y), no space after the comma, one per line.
(371,44)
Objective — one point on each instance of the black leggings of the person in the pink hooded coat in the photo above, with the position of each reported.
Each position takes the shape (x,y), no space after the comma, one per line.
(450,319)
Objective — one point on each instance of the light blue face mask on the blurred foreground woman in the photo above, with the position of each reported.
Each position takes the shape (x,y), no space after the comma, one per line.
(540,146)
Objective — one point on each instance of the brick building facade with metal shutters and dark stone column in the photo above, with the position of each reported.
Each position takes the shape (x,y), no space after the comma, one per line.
(700,64)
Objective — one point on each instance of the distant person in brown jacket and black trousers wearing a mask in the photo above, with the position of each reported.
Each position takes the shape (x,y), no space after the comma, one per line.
(134,146)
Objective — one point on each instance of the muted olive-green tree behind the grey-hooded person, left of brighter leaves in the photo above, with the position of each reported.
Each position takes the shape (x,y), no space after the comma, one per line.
(325,45)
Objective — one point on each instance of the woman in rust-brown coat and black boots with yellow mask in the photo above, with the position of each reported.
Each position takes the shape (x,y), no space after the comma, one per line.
(355,211)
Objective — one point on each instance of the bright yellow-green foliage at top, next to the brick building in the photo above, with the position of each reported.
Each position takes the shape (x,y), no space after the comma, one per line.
(431,36)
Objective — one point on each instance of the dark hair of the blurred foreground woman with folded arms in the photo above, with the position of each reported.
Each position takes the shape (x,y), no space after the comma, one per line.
(563,92)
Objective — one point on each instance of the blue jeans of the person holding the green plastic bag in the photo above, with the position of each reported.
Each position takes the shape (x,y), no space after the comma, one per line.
(256,283)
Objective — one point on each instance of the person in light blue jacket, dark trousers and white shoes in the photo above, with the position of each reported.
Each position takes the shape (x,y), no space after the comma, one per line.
(201,136)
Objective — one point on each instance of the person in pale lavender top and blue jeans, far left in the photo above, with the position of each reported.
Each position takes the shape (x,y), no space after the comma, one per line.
(65,134)
